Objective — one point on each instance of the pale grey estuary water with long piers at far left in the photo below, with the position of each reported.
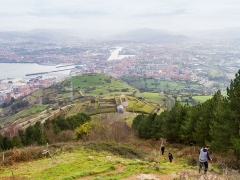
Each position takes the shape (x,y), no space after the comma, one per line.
(19,70)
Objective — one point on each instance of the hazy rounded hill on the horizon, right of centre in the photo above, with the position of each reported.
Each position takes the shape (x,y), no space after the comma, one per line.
(150,35)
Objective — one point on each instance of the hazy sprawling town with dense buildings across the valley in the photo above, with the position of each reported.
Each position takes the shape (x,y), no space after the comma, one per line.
(210,63)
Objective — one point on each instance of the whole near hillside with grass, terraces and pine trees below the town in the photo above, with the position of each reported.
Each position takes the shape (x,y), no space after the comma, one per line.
(82,137)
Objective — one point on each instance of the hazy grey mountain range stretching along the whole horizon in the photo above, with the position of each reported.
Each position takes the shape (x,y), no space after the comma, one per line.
(138,35)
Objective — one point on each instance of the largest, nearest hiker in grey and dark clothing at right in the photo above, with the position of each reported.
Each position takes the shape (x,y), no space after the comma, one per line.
(204,156)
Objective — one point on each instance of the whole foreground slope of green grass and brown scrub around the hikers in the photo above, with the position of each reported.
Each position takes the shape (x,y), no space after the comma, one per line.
(108,160)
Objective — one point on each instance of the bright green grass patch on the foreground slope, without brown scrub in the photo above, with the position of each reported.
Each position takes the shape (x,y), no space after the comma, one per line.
(85,163)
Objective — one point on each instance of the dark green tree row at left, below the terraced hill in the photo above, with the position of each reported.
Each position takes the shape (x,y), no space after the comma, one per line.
(41,134)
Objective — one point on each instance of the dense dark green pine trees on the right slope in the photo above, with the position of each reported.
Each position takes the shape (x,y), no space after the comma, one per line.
(215,122)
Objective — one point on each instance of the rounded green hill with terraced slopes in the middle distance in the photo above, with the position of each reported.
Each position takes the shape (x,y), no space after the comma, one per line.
(91,94)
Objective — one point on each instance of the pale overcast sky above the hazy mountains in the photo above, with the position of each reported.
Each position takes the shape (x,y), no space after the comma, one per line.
(170,15)
